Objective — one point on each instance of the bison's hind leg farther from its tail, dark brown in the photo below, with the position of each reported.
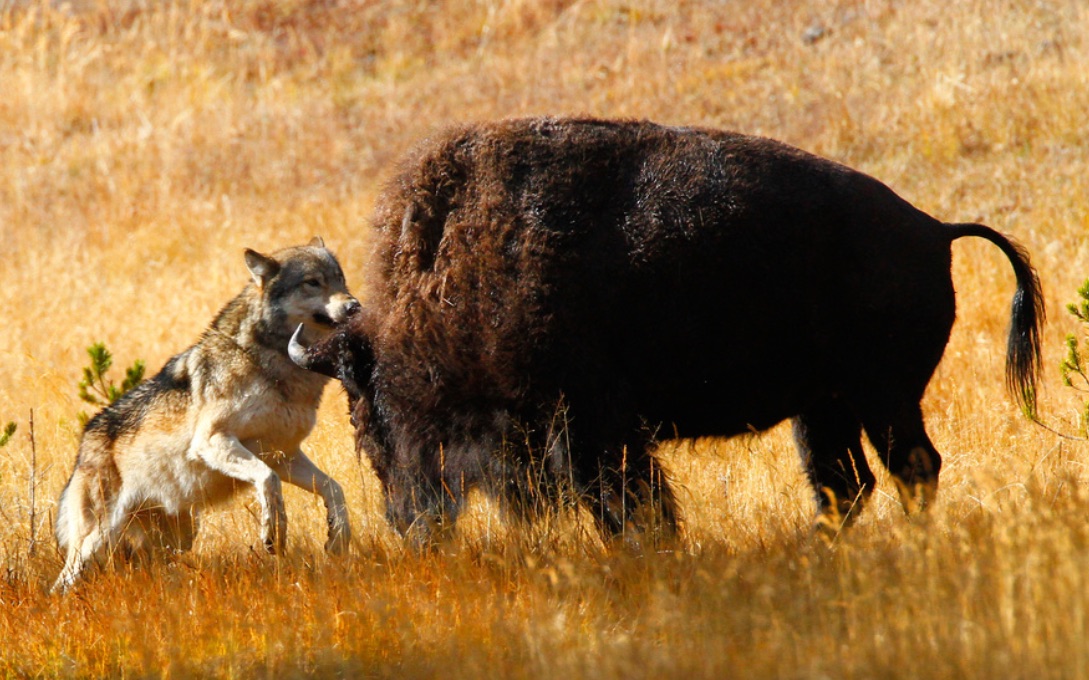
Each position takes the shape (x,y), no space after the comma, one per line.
(829,440)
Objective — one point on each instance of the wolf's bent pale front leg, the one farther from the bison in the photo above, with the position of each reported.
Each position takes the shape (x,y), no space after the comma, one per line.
(226,455)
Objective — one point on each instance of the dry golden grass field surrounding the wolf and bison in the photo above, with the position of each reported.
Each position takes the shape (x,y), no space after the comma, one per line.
(144,145)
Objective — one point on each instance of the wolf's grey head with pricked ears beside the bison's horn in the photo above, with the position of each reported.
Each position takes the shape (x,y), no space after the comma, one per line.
(302,285)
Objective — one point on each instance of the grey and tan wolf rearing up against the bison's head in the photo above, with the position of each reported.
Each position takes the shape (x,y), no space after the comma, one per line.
(228,412)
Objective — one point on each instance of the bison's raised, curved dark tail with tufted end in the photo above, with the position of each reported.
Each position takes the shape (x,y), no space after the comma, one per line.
(1026,320)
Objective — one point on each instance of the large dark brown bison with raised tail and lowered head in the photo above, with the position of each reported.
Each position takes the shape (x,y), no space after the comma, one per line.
(547,298)
